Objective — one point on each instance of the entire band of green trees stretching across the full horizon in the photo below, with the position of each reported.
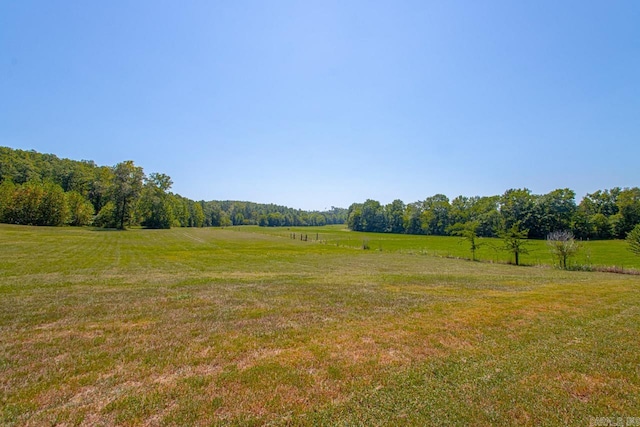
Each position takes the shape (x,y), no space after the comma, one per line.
(42,189)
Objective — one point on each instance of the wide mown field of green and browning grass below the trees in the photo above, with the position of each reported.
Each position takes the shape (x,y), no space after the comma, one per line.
(247,326)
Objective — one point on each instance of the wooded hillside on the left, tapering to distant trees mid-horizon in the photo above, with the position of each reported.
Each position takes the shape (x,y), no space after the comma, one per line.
(42,189)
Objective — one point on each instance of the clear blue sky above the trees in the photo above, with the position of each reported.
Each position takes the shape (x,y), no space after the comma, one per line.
(311,104)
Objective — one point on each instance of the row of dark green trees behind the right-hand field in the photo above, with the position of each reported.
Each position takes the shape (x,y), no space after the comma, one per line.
(604,214)
